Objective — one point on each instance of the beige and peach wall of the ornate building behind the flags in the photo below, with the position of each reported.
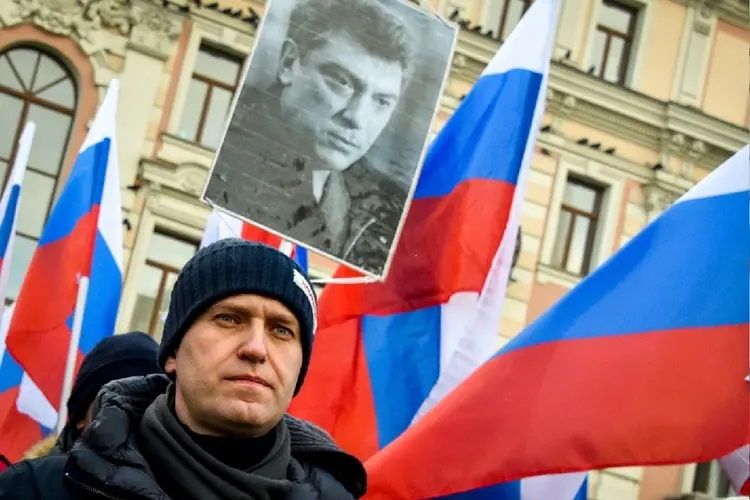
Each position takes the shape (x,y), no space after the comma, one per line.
(680,110)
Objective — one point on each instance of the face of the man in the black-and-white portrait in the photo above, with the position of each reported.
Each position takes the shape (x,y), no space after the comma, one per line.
(339,95)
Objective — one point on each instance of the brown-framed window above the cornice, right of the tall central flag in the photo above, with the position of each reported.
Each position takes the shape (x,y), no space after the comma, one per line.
(613,41)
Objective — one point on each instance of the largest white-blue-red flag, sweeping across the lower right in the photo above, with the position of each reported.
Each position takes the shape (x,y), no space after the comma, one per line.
(644,363)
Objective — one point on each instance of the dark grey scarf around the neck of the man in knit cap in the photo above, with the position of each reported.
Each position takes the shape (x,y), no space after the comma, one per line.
(178,461)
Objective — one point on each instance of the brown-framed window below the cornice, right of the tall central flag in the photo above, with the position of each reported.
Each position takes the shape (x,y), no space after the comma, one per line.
(576,228)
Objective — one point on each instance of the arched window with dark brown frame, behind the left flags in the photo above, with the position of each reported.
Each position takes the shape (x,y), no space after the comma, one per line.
(34,86)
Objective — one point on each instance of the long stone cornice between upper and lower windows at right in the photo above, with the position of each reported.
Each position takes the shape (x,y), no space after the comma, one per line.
(615,109)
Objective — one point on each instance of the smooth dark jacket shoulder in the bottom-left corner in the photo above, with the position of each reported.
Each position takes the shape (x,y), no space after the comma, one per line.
(35,479)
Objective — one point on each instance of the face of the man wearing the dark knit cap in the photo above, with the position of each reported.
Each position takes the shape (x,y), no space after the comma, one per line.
(237,367)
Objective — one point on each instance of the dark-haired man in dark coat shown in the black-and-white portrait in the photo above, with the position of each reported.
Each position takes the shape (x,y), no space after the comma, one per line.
(342,69)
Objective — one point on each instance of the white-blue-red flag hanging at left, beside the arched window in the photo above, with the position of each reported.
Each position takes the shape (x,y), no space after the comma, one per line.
(82,237)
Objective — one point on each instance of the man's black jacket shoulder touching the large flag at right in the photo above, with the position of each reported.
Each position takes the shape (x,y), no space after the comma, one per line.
(333,472)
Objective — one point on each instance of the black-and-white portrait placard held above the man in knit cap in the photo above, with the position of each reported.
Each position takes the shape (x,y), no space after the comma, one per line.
(327,136)
